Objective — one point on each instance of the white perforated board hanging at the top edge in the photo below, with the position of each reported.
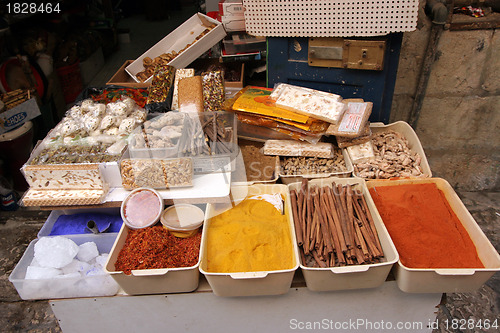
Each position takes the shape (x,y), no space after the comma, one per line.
(340,18)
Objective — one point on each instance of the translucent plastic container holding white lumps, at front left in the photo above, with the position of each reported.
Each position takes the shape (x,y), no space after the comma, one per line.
(89,286)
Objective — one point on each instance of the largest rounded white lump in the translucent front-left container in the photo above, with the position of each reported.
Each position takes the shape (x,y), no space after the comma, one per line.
(55,252)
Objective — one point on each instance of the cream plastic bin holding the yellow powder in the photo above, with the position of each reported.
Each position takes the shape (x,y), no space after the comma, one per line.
(250,283)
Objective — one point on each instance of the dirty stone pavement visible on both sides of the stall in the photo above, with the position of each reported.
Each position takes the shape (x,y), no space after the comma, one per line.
(18,228)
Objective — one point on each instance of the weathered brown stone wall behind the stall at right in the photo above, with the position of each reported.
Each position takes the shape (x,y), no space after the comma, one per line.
(459,124)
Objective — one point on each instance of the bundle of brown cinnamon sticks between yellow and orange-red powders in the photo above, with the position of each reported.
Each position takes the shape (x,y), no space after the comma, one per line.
(335,226)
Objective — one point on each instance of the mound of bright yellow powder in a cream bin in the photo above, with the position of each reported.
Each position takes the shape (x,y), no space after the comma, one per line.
(250,237)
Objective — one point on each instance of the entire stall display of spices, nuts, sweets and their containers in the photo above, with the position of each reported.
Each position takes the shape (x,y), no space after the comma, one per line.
(309,184)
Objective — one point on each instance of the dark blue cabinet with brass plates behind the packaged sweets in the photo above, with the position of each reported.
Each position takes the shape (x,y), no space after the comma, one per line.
(287,62)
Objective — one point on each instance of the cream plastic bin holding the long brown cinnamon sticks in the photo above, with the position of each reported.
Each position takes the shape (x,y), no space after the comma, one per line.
(353,276)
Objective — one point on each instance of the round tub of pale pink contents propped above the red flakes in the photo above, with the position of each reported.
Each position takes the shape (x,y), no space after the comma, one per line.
(141,208)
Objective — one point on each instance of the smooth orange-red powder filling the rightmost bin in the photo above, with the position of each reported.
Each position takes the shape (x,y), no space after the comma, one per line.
(424,228)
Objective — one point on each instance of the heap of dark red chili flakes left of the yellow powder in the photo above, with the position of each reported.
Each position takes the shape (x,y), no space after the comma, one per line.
(155,247)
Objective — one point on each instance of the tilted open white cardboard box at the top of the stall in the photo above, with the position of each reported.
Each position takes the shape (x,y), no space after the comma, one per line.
(178,39)
